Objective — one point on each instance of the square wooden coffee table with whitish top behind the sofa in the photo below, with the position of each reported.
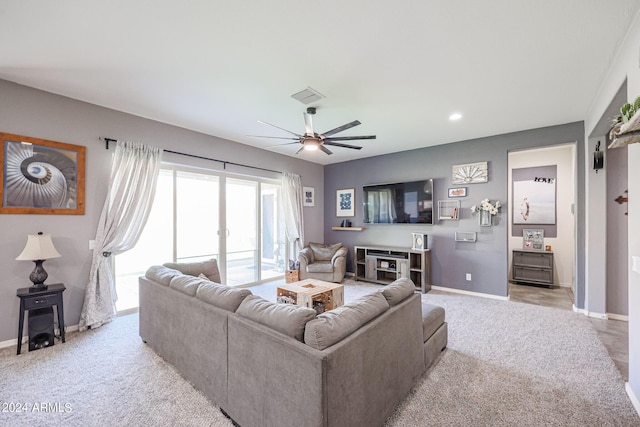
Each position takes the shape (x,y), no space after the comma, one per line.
(312,293)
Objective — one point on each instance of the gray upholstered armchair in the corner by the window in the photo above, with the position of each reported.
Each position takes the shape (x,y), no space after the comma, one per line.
(323,262)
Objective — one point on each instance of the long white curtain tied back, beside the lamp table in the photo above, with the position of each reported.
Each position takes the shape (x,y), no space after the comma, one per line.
(132,186)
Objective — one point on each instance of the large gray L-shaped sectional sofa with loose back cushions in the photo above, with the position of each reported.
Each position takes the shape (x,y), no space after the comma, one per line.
(268,364)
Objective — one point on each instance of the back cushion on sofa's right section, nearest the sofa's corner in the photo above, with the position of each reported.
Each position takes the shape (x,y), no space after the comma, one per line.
(332,326)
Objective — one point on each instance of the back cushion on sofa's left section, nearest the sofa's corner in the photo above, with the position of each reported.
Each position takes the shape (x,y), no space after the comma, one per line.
(285,318)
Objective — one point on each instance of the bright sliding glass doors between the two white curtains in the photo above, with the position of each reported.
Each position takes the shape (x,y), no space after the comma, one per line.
(253,234)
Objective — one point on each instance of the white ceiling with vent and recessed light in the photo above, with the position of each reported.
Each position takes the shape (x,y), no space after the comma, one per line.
(401,68)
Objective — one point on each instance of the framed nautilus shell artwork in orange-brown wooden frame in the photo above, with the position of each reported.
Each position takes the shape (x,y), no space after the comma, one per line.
(40,176)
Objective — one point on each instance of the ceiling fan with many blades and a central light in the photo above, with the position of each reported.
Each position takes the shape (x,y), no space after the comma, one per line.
(312,141)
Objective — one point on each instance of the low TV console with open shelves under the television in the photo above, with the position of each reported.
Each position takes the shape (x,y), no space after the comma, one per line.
(383,264)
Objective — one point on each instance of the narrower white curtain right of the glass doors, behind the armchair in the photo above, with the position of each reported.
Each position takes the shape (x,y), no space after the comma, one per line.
(292,208)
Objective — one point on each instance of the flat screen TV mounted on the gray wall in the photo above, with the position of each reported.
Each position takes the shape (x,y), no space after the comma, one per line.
(399,203)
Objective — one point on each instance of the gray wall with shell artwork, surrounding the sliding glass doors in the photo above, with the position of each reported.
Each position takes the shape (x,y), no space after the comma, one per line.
(30,112)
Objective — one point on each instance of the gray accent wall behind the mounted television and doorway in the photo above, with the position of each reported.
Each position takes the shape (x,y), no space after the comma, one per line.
(486,259)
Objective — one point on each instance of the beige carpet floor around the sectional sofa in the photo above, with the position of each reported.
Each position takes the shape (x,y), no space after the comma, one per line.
(507,364)
